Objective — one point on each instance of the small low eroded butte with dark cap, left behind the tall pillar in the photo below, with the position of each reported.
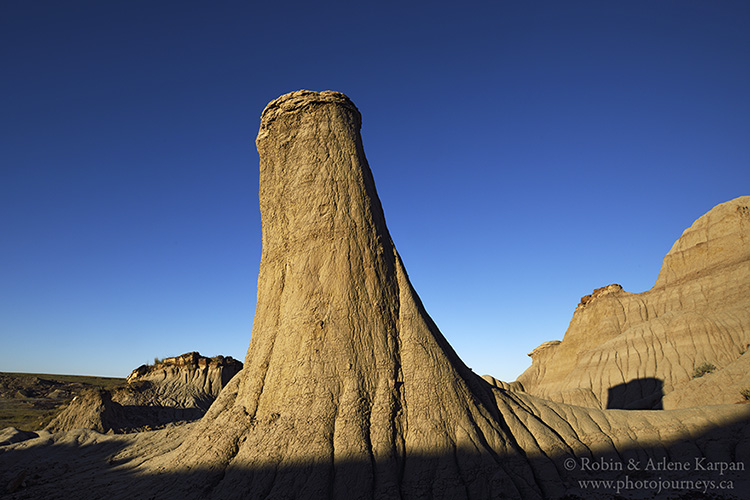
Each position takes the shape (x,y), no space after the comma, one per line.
(174,390)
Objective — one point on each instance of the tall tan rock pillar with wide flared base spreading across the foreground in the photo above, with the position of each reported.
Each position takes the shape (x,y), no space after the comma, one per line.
(349,390)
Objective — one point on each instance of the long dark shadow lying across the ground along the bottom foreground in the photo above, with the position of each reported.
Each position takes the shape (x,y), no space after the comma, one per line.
(87,465)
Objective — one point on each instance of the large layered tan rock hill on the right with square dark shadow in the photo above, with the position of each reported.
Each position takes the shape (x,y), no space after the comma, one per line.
(625,350)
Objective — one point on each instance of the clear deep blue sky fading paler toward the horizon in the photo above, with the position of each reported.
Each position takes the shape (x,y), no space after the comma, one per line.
(526,152)
